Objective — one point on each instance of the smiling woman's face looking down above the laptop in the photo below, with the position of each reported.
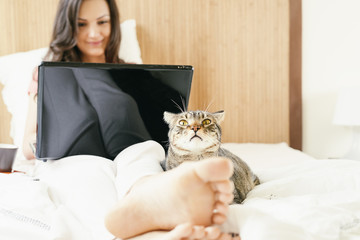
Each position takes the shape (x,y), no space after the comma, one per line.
(94,30)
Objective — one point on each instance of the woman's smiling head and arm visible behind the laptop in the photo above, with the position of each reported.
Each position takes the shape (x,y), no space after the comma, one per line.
(95,38)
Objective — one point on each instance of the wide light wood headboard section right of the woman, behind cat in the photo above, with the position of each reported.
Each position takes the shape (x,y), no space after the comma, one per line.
(240,52)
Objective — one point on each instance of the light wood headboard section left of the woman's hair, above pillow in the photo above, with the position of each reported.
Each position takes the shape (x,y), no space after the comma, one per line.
(26,24)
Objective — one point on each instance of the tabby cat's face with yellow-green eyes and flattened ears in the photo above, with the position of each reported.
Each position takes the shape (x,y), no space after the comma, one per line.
(194,131)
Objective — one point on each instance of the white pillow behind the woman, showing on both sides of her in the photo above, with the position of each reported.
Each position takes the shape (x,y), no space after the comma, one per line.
(16,73)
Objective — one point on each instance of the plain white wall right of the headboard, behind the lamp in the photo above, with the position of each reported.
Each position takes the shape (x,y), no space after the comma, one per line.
(331,61)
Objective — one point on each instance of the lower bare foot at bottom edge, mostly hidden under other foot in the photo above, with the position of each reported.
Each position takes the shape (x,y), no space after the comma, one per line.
(187,232)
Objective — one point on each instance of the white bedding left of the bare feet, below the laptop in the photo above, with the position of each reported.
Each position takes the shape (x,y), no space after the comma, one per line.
(68,203)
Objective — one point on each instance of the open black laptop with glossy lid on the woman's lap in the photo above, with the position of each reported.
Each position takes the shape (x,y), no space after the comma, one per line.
(100,109)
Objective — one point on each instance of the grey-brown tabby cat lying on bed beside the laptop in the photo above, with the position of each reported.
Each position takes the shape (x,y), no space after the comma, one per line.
(196,135)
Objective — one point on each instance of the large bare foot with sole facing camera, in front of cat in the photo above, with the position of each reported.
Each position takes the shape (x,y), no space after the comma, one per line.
(194,192)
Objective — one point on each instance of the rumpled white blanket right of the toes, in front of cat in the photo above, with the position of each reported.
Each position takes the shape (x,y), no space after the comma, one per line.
(312,200)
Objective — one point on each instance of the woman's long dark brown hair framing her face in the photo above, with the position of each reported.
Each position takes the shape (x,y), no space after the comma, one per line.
(63,43)
